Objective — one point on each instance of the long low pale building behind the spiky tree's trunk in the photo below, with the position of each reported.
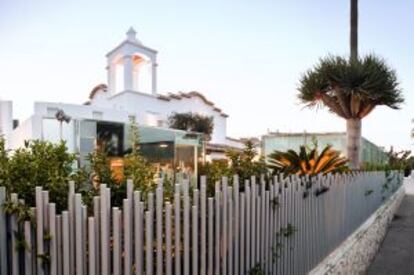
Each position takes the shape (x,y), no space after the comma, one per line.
(370,153)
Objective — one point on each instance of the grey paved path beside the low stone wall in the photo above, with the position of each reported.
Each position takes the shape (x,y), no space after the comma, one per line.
(396,255)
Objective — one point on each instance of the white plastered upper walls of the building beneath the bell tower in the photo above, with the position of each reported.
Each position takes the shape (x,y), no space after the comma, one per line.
(147,109)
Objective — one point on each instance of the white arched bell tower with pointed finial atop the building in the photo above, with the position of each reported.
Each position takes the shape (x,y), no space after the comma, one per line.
(132,66)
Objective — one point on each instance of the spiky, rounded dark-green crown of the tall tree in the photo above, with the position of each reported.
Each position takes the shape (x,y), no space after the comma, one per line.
(351,89)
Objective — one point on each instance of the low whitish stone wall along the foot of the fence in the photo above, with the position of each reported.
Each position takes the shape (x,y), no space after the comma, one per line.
(356,253)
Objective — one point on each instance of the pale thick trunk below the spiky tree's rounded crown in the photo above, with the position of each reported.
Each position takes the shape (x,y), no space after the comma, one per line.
(353,136)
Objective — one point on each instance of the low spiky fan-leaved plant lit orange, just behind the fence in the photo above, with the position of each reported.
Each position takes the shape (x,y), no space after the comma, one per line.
(307,161)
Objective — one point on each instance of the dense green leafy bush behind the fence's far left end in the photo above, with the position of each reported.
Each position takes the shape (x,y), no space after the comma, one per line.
(38,163)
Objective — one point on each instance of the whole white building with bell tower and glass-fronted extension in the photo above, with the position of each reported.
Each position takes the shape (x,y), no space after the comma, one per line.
(129,94)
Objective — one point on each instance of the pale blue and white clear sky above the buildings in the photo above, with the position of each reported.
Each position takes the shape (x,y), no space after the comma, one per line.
(245,56)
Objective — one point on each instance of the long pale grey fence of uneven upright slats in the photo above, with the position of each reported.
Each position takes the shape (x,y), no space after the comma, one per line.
(276,227)
